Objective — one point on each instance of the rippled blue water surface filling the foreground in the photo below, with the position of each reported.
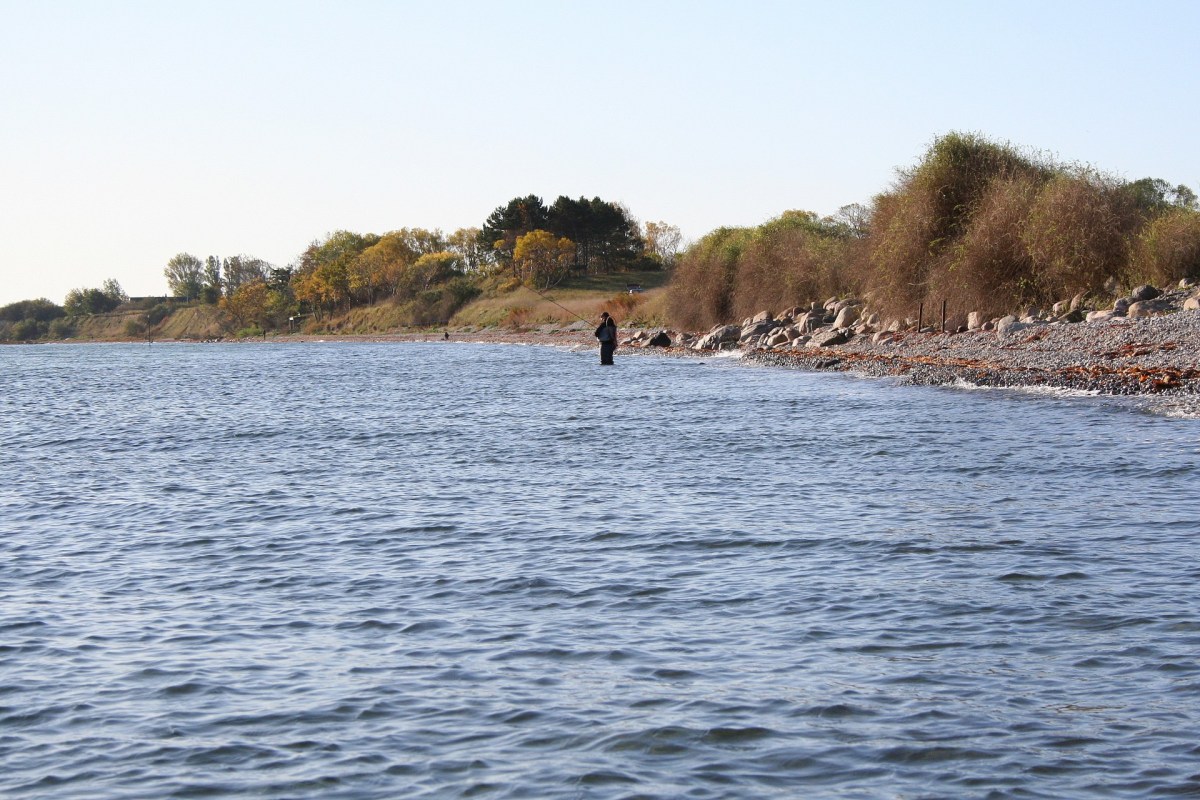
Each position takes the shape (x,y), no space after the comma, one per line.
(441,572)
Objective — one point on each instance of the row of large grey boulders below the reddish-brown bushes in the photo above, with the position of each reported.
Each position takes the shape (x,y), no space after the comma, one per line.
(836,322)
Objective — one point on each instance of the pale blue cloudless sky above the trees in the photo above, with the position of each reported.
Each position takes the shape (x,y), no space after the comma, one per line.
(133,131)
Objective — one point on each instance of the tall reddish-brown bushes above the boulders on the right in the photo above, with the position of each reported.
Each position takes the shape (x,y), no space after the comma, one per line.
(982,226)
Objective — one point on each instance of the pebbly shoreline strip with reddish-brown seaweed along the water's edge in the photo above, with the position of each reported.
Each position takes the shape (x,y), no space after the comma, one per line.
(1151,358)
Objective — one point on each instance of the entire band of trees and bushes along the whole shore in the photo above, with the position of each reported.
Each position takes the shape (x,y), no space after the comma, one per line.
(981,225)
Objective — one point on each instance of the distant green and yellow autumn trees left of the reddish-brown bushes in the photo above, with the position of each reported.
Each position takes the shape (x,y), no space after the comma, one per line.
(428,273)
